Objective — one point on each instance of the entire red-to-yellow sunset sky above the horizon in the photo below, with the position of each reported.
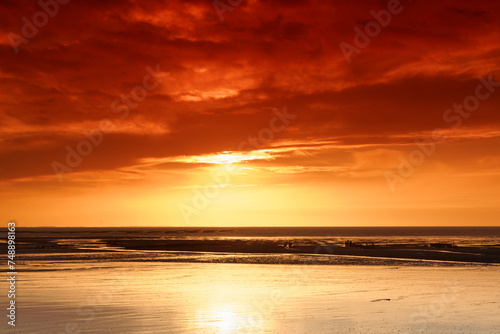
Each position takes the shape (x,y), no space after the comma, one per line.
(250,113)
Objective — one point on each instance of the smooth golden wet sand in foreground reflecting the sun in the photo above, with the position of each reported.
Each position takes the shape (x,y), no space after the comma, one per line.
(131,297)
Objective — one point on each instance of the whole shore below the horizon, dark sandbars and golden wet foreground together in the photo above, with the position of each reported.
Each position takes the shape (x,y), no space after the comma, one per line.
(130,280)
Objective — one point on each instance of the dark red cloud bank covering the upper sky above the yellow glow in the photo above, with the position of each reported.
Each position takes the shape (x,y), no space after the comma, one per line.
(225,78)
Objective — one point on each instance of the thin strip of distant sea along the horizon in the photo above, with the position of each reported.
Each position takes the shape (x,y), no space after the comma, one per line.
(475,233)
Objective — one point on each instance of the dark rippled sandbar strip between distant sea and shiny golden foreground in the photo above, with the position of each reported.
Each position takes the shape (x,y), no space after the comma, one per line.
(144,249)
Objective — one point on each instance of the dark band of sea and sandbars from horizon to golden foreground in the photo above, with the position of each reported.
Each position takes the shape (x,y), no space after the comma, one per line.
(331,246)
